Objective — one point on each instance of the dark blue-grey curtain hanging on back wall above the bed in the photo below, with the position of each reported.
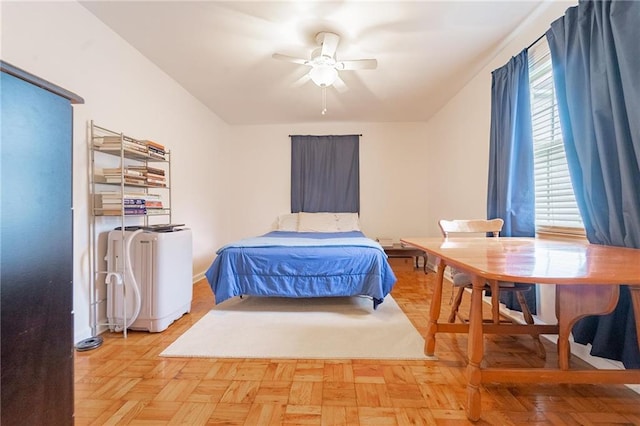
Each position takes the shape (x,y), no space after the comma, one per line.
(325,173)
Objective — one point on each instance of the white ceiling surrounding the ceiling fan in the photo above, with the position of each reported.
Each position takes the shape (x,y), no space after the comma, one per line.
(220,51)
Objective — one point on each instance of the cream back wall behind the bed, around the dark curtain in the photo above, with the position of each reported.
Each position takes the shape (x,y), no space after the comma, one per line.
(393,187)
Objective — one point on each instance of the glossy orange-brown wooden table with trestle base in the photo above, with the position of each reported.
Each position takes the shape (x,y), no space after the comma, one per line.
(587,276)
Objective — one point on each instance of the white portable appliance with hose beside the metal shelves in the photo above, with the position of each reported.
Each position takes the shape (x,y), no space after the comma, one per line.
(161,263)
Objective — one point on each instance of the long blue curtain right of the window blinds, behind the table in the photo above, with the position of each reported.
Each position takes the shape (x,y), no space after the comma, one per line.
(595,50)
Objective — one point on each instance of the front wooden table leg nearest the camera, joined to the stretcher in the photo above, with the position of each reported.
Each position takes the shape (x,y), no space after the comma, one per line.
(475,351)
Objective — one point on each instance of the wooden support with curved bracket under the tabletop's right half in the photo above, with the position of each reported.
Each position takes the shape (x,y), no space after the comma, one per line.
(578,301)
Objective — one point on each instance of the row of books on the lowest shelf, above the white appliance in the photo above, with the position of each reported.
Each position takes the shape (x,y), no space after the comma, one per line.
(111,203)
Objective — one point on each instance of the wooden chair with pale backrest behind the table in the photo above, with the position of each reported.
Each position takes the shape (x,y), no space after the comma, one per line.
(462,281)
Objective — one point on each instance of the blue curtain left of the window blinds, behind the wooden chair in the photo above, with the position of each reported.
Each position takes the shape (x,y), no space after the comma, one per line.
(510,194)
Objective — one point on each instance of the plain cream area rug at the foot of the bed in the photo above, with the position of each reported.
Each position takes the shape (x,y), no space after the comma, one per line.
(319,328)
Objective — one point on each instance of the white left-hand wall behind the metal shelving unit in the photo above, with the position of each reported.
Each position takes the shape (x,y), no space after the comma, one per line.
(65,44)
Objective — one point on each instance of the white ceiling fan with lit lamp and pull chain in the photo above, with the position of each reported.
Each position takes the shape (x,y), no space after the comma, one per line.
(323,63)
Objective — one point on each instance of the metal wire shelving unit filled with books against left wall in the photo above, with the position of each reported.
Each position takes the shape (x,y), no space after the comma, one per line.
(130,185)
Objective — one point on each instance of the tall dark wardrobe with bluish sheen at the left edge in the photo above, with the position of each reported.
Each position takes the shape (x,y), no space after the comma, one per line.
(36,269)
